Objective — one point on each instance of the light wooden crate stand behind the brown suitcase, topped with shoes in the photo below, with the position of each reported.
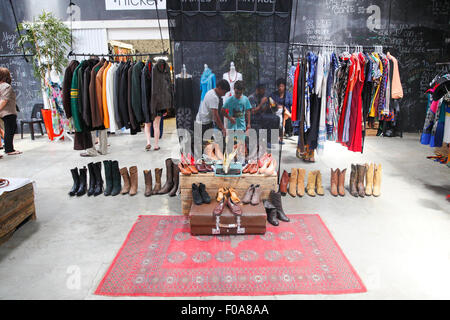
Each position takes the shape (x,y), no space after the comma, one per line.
(213,183)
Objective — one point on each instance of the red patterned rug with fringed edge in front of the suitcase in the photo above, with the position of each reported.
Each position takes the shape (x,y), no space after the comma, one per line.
(161,258)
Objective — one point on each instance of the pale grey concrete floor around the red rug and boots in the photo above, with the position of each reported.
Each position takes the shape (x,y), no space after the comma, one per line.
(399,243)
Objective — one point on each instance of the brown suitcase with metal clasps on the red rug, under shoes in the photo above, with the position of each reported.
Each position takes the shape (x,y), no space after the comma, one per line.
(202,221)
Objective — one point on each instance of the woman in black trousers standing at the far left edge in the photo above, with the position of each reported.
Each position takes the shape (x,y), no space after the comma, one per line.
(8,112)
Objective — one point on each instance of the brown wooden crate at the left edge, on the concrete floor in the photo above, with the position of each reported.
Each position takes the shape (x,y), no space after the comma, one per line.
(15,207)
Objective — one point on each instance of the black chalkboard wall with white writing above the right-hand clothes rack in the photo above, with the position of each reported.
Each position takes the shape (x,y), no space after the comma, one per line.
(418,33)
